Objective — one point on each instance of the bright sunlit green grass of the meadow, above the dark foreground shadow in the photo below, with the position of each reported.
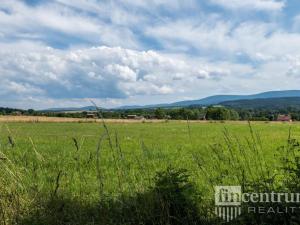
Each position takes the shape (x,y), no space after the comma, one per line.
(49,160)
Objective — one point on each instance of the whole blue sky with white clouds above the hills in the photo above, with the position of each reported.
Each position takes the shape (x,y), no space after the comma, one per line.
(126,52)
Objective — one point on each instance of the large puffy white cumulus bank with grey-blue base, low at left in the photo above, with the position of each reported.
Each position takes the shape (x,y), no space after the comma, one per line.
(97,72)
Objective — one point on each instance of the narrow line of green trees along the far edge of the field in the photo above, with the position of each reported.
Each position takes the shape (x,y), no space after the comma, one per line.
(190,113)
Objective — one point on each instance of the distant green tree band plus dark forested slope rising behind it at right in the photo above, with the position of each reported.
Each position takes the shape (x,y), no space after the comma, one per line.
(255,109)
